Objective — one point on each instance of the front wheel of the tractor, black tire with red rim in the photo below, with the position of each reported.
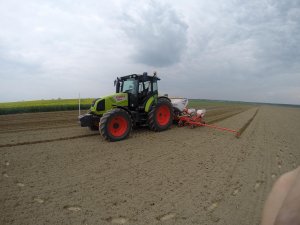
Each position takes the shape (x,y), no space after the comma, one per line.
(115,125)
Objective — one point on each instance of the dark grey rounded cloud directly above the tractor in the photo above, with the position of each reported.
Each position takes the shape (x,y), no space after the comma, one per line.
(158,34)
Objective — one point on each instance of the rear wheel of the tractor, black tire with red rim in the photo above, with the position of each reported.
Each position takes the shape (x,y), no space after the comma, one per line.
(160,117)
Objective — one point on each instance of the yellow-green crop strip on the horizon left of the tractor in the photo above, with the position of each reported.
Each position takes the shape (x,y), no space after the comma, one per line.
(43,106)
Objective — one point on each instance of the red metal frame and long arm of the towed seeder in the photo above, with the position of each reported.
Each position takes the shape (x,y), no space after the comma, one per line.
(196,120)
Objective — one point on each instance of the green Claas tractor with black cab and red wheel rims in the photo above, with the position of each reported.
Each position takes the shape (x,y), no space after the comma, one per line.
(135,103)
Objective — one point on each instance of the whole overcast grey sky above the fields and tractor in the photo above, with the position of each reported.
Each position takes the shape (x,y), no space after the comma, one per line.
(222,49)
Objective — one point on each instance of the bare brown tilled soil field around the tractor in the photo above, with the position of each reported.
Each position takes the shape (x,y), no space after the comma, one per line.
(180,176)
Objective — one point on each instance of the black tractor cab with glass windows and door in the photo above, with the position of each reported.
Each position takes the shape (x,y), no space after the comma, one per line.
(140,88)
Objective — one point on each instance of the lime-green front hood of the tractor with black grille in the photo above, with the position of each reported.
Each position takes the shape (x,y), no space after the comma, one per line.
(102,105)
